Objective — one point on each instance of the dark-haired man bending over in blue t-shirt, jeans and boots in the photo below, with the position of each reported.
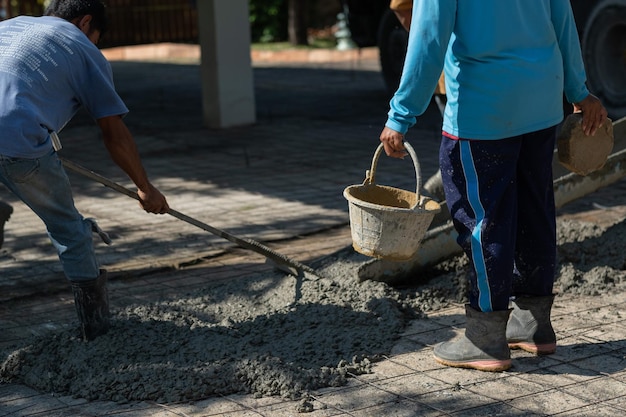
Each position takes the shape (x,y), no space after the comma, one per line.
(50,67)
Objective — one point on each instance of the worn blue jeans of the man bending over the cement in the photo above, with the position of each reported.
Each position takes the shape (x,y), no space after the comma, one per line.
(43,185)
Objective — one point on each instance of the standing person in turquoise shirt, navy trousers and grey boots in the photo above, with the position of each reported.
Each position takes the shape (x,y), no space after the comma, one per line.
(507,64)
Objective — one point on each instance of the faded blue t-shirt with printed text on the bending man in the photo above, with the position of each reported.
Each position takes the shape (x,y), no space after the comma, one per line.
(48,70)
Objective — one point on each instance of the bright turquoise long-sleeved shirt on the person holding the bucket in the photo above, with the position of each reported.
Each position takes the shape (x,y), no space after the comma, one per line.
(506,64)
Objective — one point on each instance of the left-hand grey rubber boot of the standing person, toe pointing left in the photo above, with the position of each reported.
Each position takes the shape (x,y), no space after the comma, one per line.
(482,347)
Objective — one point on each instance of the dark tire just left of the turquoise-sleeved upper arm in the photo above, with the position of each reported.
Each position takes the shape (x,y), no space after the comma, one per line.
(392,43)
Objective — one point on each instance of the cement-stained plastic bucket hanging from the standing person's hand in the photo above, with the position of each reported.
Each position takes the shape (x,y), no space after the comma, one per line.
(387,222)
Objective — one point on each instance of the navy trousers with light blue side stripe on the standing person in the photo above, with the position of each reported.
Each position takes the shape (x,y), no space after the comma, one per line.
(500,195)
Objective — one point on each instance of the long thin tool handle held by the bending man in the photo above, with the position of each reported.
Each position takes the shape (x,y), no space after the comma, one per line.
(253,245)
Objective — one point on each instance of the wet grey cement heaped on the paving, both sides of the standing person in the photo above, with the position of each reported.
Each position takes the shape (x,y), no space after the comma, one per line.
(274,335)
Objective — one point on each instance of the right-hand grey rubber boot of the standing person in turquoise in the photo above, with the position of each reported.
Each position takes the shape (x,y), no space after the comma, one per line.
(529,326)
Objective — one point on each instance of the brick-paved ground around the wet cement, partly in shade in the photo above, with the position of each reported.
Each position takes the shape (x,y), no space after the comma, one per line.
(280,182)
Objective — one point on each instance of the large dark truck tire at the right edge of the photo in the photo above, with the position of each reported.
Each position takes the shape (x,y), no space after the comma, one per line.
(604,53)
